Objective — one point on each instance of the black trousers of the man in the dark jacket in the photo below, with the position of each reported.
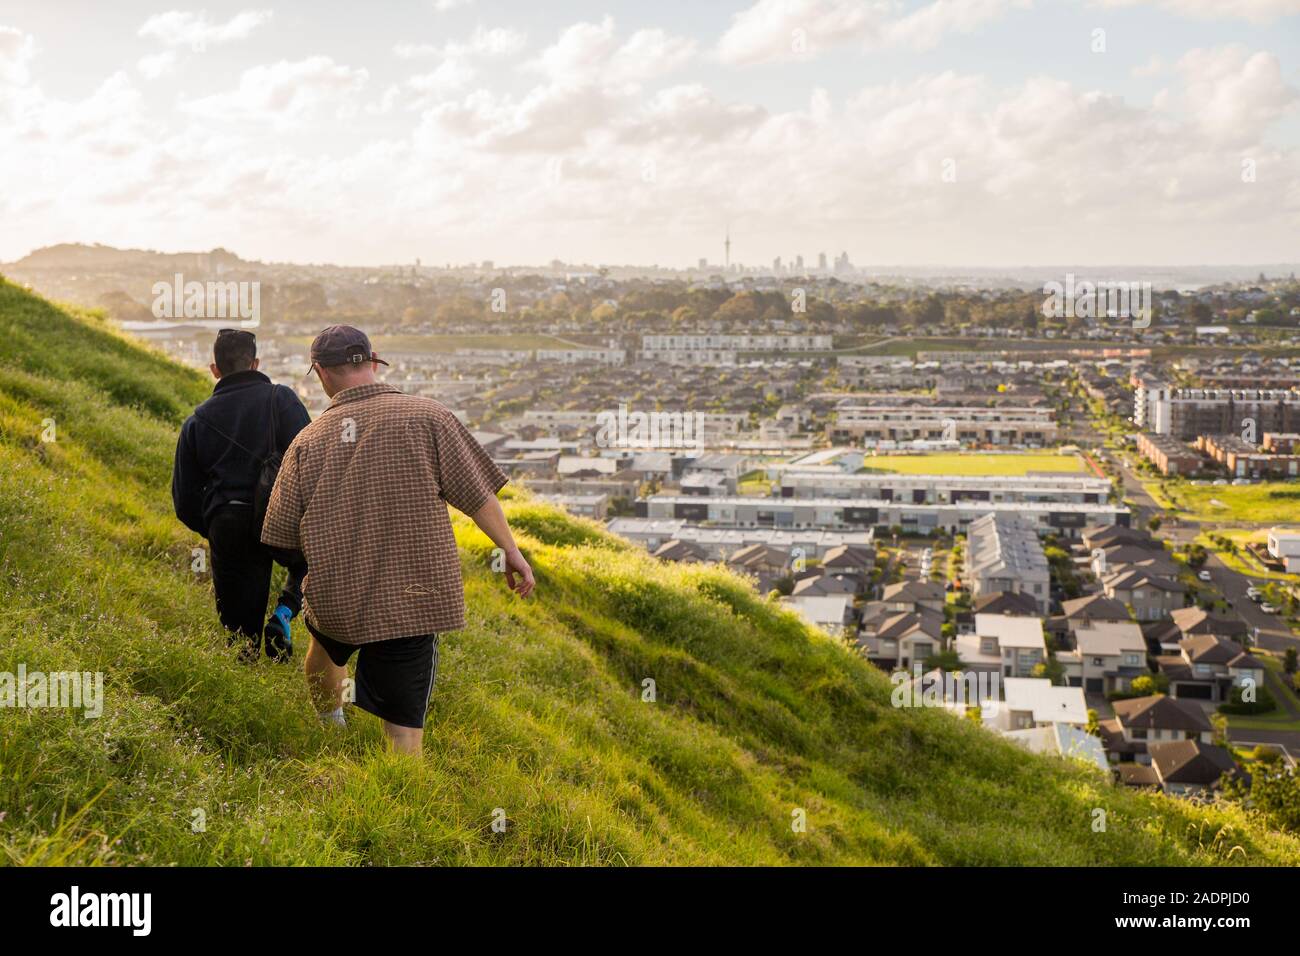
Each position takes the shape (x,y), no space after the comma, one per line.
(241,573)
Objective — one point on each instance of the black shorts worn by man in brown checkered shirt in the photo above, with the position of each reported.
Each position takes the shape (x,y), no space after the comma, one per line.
(395,678)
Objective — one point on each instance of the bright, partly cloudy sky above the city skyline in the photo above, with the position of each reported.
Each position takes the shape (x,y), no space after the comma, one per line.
(983,133)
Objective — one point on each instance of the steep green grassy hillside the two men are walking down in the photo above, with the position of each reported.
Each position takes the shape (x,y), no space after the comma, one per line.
(539,708)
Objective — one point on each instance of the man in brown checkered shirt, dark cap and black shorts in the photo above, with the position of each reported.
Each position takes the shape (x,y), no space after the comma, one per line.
(363,494)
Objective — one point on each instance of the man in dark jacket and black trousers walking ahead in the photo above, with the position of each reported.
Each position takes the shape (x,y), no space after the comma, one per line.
(219,458)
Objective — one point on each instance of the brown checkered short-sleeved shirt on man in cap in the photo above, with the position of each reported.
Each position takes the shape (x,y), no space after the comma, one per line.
(363,494)
